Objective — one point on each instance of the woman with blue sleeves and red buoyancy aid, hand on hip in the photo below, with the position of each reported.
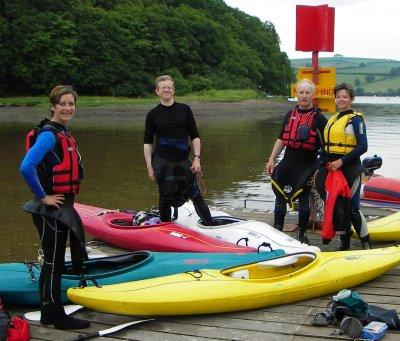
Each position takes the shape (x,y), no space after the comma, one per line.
(53,170)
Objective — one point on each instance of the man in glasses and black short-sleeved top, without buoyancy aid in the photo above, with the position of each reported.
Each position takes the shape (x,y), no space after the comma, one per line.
(172,123)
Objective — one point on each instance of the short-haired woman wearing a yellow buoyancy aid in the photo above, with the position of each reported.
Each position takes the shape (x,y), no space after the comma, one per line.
(345,140)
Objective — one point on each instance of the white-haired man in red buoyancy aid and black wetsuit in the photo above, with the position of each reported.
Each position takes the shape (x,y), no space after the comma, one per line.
(301,134)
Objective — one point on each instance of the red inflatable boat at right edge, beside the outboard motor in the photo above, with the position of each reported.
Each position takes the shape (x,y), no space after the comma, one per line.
(382,189)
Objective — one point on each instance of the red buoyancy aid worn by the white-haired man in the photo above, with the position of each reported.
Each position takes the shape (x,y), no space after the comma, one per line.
(290,137)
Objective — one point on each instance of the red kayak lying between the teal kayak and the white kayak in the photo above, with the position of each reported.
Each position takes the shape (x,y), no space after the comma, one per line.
(116,228)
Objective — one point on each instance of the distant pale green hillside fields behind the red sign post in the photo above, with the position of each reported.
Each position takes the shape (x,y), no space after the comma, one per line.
(356,71)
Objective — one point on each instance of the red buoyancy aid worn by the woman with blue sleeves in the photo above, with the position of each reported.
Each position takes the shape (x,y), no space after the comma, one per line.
(65,176)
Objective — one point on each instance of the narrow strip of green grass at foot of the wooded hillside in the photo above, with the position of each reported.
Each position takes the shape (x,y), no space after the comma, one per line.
(232,95)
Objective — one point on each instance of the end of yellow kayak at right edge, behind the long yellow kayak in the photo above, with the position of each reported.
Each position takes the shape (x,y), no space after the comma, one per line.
(385,229)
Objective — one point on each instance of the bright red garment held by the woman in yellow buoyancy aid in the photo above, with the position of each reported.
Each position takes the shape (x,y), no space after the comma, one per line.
(335,186)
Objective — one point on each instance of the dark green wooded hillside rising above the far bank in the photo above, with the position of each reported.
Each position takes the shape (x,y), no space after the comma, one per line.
(118,47)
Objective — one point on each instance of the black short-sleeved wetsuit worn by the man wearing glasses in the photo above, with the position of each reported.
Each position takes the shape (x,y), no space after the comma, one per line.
(172,126)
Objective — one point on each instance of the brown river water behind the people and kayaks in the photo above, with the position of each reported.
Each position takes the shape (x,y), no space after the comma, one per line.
(234,151)
